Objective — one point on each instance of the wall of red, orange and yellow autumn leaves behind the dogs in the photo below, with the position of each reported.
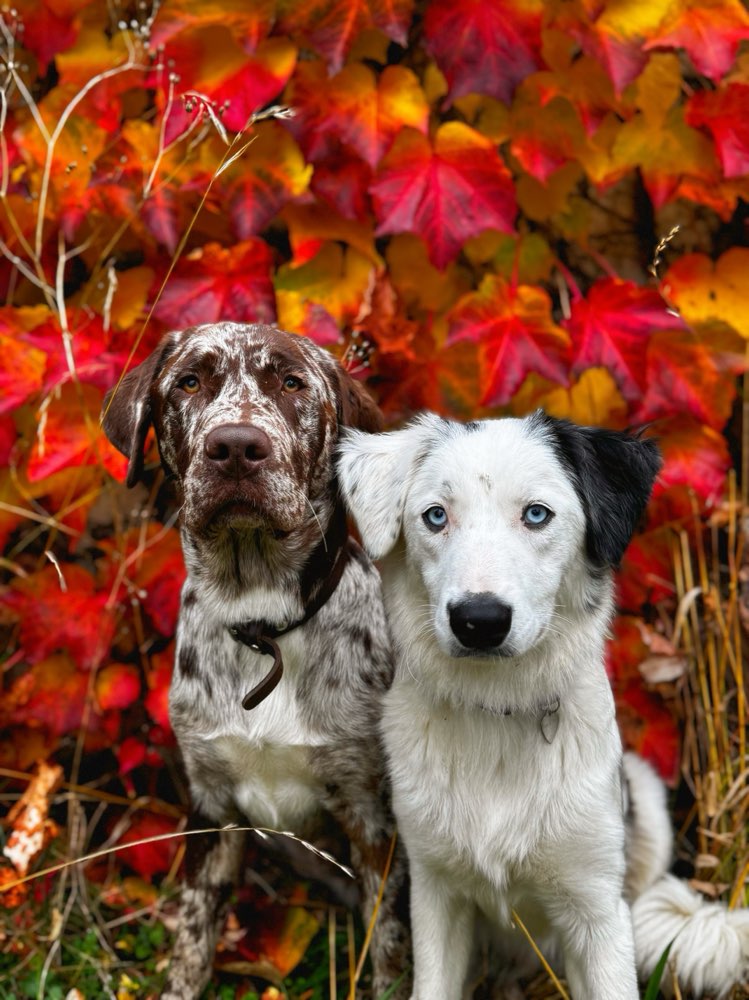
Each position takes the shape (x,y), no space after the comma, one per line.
(482,207)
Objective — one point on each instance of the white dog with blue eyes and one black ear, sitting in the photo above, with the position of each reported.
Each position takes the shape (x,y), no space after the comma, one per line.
(498,540)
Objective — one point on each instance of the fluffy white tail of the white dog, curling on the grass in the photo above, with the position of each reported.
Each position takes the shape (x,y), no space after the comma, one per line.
(710,949)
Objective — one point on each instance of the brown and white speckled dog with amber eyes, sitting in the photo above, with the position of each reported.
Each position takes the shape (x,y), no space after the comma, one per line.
(247,419)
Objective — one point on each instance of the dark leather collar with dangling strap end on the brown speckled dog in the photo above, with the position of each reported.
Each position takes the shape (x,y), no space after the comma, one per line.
(261,636)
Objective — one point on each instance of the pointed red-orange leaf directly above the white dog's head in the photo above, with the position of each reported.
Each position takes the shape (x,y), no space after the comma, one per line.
(517,335)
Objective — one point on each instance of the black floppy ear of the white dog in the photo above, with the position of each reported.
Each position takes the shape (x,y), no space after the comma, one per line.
(614,474)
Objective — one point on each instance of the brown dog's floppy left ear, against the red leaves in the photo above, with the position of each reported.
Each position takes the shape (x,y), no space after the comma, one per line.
(126,413)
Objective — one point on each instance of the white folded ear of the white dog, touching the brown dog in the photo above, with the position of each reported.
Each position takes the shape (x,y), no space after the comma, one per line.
(374,471)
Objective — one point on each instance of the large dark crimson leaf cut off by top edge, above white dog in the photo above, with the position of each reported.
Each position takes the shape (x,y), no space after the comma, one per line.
(483,46)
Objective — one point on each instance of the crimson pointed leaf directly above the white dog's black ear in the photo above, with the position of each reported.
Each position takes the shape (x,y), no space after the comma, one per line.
(611,328)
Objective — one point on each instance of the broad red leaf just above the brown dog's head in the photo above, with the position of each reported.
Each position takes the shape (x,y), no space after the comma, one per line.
(214,283)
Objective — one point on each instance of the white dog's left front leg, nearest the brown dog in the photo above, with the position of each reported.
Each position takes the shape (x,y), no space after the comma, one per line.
(442,929)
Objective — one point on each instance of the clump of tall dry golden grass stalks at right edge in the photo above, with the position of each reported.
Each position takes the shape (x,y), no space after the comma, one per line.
(711,568)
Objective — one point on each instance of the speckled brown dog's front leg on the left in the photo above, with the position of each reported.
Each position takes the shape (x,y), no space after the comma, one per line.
(212,866)
